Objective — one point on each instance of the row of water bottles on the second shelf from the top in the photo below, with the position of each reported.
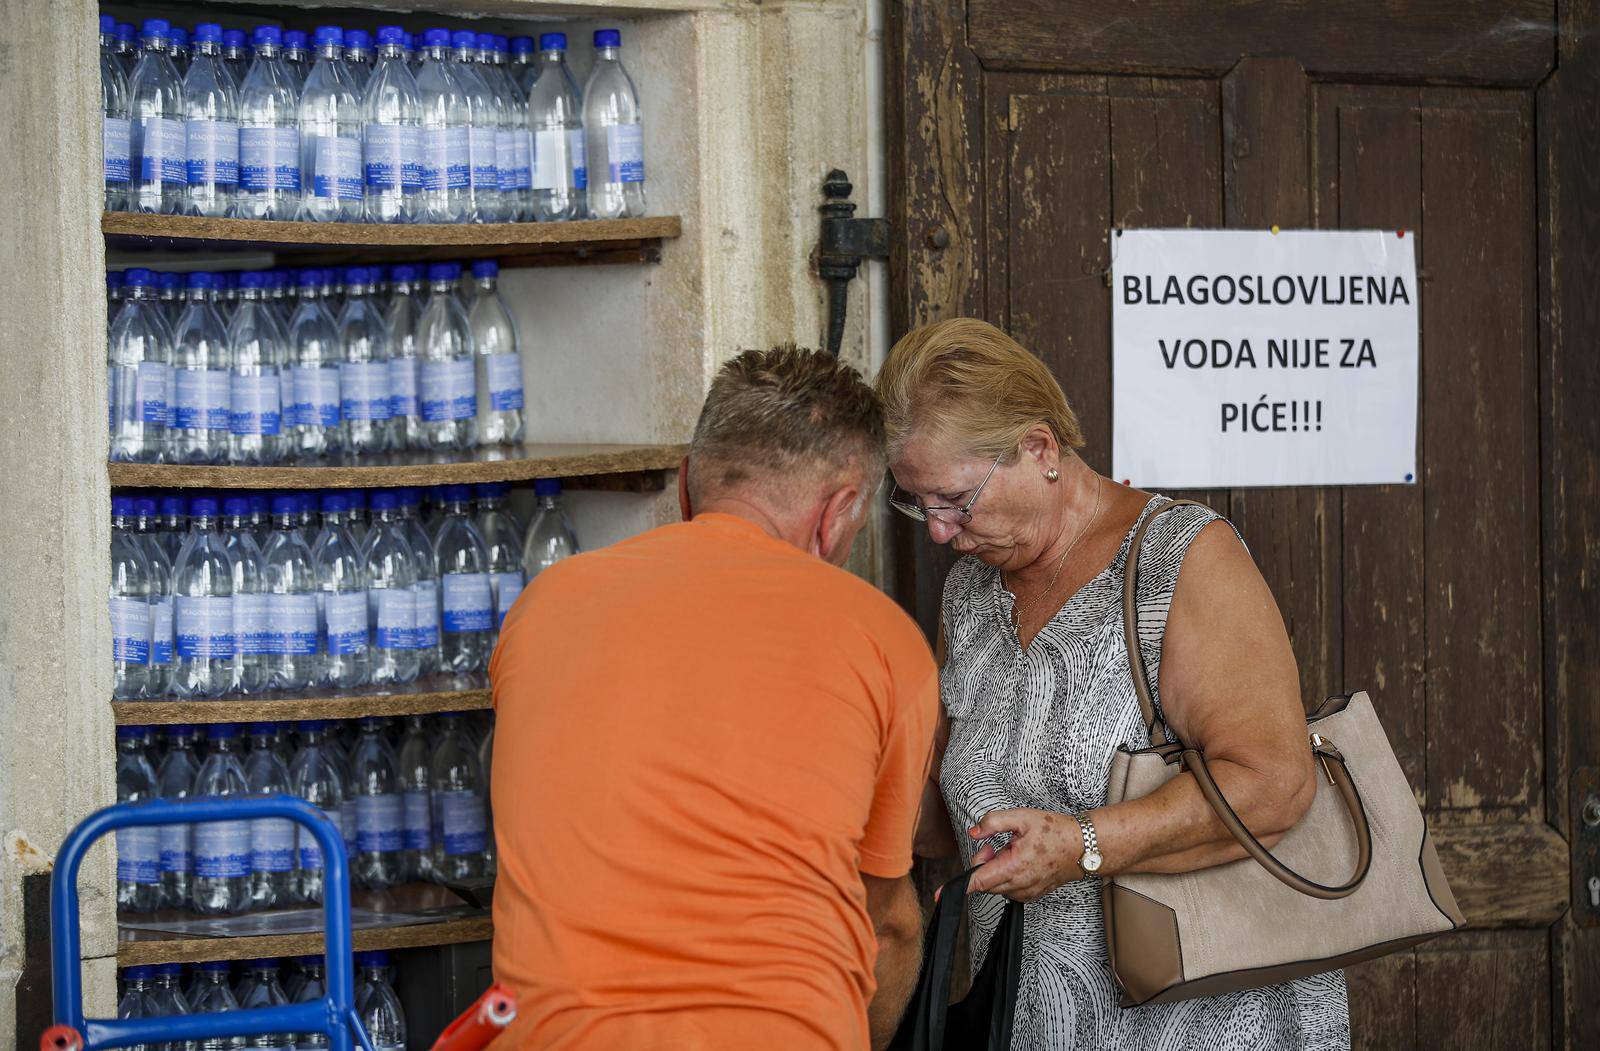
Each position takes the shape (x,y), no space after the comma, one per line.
(354,364)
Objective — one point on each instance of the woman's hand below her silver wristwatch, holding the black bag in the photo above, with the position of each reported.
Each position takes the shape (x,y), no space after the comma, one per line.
(1042,855)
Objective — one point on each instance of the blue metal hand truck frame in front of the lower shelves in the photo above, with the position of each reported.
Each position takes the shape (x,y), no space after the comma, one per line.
(334,1017)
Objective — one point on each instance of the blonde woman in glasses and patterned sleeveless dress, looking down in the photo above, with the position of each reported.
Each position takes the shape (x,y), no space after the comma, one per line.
(1038,695)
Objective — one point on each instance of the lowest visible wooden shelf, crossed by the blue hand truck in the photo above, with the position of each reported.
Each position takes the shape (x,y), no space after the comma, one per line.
(452,925)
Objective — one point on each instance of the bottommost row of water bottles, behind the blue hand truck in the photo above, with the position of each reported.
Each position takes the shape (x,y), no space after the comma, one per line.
(161,993)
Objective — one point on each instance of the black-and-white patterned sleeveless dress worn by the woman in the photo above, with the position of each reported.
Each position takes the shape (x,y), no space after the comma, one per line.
(1039,730)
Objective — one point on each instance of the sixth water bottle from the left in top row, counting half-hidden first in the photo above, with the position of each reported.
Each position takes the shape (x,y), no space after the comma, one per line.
(393,135)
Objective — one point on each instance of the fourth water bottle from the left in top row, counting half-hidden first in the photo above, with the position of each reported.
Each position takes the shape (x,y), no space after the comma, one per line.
(270,159)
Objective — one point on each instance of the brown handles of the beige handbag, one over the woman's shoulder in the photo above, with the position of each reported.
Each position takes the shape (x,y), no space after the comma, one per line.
(1194,759)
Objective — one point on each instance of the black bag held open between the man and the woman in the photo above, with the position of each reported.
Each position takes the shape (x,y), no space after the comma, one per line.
(983,1021)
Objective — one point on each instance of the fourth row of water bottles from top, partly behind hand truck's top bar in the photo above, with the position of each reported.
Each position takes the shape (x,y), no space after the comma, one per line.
(412,805)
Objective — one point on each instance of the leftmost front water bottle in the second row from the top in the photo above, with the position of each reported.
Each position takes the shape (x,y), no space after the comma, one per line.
(138,362)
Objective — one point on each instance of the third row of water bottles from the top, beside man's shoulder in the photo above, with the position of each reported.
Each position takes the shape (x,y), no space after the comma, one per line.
(246,594)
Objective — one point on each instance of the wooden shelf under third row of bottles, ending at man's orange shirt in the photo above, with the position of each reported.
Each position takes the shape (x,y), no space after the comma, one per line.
(294,709)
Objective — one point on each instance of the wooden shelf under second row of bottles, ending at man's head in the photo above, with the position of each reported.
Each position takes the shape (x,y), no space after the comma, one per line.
(626,468)
